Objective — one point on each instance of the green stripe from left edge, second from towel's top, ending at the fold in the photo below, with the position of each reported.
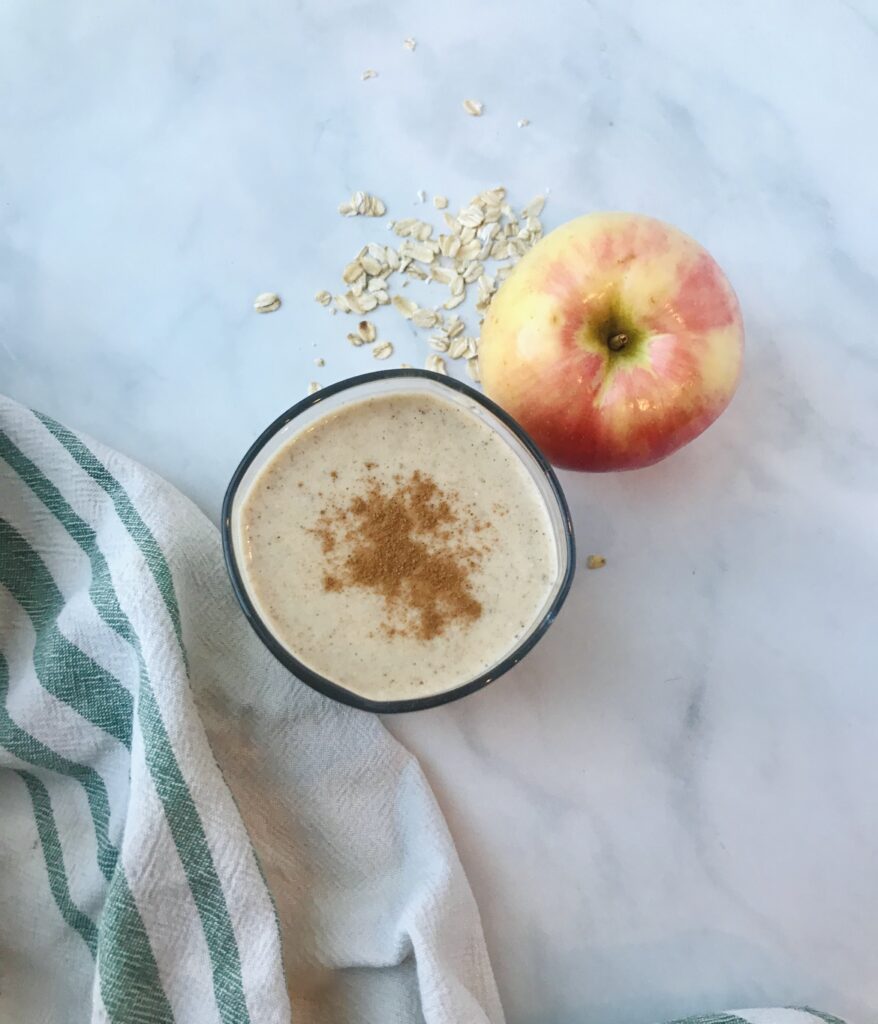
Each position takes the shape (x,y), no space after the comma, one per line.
(101,590)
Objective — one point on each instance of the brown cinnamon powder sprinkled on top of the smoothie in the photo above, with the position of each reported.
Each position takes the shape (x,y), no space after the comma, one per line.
(411,544)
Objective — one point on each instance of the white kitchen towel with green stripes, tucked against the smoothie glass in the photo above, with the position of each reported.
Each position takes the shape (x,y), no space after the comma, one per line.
(130,888)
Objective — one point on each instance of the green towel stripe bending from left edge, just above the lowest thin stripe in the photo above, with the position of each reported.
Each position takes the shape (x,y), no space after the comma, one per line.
(26,748)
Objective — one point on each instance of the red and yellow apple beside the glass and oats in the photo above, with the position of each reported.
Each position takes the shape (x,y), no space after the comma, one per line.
(601,281)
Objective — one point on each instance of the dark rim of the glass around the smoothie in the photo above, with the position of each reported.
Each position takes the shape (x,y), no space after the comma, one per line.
(315,679)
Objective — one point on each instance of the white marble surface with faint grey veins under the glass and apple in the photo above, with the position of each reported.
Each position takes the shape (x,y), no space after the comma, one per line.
(672,806)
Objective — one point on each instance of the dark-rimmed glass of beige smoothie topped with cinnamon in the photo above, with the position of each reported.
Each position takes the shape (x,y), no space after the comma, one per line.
(398,541)
